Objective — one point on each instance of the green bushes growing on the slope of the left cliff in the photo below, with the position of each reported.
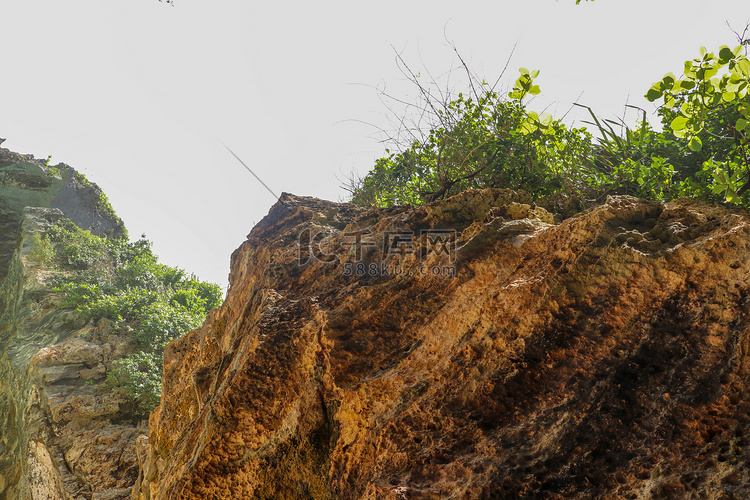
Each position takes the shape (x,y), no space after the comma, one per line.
(123,284)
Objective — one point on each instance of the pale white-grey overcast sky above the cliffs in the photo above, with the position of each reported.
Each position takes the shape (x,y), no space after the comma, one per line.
(144,97)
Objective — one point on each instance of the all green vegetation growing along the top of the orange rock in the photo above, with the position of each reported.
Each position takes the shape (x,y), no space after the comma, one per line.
(486,139)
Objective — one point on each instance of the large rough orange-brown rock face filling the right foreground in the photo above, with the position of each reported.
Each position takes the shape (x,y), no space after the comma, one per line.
(469,349)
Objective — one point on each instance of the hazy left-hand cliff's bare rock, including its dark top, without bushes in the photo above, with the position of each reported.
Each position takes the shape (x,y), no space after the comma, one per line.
(63,434)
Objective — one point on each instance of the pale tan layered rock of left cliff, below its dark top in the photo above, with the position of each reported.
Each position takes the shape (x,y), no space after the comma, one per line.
(65,434)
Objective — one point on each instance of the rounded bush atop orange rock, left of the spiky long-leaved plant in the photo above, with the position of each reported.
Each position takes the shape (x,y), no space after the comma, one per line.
(483,141)
